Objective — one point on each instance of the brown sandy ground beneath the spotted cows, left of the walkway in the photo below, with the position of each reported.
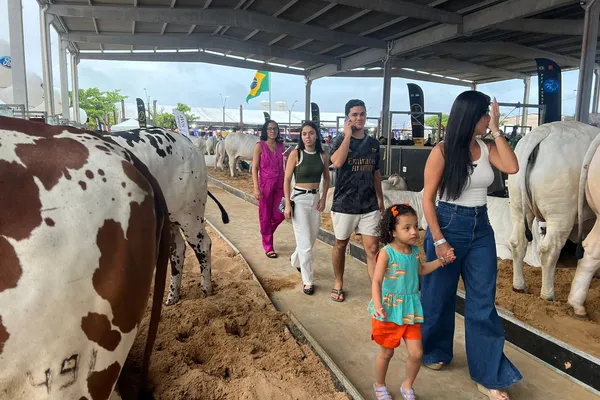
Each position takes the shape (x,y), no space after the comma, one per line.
(232,345)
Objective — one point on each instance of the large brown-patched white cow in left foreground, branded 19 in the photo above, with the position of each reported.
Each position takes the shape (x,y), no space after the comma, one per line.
(82,227)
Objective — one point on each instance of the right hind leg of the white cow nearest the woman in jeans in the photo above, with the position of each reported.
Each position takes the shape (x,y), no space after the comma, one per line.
(550,247)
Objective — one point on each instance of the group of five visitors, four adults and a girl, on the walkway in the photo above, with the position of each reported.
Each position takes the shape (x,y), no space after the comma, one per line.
(459,241)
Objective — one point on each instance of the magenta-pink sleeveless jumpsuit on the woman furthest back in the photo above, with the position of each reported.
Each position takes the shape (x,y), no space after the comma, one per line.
(270,182)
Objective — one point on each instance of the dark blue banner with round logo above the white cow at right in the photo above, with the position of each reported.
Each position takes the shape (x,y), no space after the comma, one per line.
(550,89)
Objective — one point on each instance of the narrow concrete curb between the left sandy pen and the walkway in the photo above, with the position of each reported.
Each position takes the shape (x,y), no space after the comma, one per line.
(340,381)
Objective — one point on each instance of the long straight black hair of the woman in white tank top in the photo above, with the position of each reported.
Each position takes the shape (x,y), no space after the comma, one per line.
(467,110)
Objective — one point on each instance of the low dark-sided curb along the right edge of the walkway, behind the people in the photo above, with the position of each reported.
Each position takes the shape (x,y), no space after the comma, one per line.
(581,368)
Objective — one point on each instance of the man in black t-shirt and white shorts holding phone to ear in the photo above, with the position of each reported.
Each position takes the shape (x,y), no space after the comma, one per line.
(358,198)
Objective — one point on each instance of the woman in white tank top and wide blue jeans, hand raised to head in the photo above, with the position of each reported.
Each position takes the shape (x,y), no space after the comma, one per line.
(460,171)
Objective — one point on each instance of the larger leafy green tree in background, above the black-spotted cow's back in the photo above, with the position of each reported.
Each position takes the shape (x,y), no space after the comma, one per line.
(97,103)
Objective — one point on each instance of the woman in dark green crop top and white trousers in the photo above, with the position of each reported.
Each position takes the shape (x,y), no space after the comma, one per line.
(307,165)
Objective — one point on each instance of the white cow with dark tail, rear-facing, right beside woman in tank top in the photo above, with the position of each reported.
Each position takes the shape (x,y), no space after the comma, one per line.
(546,186)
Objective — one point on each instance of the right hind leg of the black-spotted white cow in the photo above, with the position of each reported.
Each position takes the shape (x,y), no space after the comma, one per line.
(199,241)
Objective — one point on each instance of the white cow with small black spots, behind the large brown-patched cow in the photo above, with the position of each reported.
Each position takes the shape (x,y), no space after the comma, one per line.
(177,162)
